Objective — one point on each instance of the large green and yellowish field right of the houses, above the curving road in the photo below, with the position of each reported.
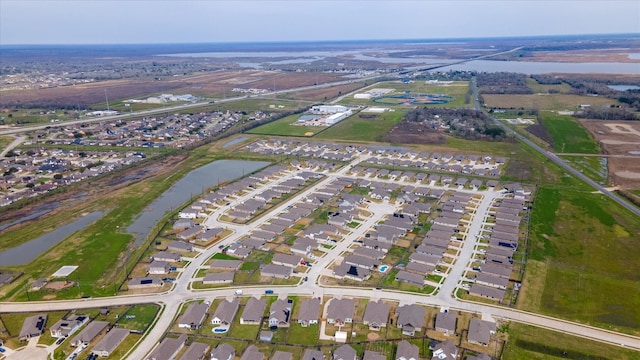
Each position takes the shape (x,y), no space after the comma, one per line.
(583,248)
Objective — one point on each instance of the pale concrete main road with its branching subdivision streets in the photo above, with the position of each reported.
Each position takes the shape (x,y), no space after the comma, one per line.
(182,291)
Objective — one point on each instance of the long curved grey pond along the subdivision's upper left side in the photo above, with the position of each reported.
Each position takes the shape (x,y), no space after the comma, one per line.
(193,184)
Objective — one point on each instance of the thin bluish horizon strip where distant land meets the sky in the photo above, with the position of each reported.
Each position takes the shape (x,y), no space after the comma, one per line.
(438,39)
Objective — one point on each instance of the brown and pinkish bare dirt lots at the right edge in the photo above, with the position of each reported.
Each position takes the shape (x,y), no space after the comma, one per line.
(622,140)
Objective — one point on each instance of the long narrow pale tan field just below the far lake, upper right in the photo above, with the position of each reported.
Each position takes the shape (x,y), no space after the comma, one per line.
(544,101)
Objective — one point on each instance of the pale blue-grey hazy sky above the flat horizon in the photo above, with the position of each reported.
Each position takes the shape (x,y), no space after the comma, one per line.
(172,21)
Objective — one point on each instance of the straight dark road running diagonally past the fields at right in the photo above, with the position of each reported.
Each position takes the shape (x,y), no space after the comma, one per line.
(553,157)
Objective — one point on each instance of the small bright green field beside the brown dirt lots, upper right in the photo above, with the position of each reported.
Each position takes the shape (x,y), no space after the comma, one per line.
(568,135)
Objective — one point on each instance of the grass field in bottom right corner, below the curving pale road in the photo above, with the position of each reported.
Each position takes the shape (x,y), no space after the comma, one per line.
(532,343)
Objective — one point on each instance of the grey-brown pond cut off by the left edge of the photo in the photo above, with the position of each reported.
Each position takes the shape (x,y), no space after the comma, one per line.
(28,251)
